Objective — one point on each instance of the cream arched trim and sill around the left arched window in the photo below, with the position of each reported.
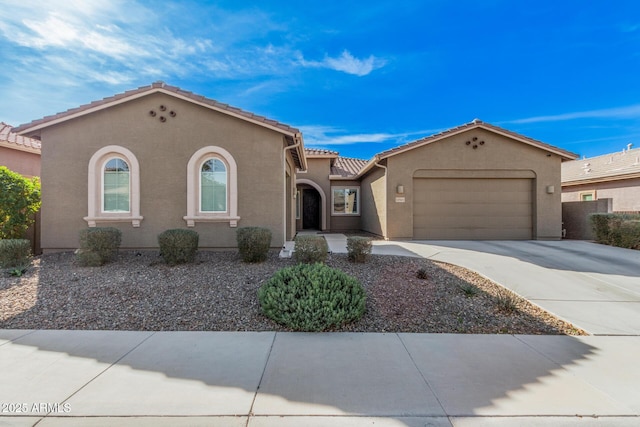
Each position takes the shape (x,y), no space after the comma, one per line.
(96,187)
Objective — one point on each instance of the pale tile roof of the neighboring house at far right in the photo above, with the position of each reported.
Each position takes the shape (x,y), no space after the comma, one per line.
(602,168)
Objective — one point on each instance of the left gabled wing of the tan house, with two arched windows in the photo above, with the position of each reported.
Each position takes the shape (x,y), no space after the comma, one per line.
(158,157)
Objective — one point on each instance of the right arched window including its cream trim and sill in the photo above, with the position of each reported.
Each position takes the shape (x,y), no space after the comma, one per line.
(212,187)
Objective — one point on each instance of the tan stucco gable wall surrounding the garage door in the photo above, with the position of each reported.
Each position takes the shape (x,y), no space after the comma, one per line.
(497,154)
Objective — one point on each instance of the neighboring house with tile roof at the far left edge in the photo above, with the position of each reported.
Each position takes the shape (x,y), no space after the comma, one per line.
(19,153)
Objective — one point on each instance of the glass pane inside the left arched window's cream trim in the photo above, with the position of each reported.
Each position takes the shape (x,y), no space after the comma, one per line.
(116,186)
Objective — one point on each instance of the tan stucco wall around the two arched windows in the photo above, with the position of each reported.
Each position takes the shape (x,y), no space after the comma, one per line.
(163,151)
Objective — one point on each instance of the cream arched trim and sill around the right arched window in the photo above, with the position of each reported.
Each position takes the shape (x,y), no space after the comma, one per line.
(194,190)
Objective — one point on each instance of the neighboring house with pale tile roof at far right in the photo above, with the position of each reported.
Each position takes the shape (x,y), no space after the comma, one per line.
(613,176)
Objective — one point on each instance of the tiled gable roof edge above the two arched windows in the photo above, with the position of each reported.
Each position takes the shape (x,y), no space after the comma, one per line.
(293,135)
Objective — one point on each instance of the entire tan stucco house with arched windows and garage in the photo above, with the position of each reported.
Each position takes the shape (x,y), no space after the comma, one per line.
(158,157)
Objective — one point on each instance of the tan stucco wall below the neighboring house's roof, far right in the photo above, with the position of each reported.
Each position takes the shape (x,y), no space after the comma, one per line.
(625,194)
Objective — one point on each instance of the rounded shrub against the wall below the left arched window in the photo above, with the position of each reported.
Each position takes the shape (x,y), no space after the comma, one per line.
(98,245)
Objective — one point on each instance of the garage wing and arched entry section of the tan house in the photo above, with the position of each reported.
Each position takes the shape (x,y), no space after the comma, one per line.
(475,181)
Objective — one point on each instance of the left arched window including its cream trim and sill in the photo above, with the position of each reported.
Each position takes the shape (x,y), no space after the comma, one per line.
(113,187)
